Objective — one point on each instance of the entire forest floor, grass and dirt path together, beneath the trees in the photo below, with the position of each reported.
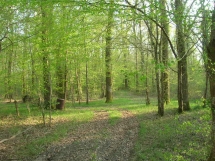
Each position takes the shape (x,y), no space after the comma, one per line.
(125,130)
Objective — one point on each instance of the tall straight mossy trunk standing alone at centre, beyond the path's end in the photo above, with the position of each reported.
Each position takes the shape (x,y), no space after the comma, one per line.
(108,54)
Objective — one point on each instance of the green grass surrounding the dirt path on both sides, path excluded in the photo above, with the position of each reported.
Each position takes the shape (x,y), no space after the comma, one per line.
(173,137)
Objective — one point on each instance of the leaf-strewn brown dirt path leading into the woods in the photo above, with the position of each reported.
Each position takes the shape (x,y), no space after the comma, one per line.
(97,141)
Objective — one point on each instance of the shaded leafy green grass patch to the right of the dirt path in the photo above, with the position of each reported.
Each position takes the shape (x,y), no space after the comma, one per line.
(175,137)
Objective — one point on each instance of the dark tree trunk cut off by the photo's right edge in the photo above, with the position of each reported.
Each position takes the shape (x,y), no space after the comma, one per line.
(211,63)
